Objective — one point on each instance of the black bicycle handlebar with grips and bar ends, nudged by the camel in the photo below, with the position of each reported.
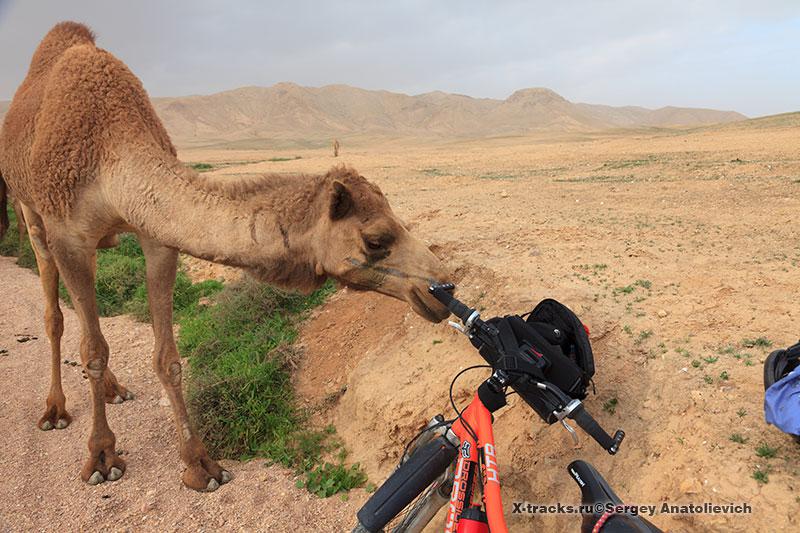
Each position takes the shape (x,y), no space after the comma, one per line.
(470,318)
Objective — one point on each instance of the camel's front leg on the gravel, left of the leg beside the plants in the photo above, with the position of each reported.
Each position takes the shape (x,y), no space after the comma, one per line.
(75,262)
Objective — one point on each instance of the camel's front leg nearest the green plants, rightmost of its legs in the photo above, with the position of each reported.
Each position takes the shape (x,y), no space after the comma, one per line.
(201,472)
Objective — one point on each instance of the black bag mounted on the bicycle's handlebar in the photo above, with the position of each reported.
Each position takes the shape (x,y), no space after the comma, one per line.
(555,345)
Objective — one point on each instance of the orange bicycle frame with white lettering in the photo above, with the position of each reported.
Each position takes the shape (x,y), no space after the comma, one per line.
(477,462)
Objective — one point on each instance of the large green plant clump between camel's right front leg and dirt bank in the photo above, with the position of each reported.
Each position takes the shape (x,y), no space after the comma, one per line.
(239,385)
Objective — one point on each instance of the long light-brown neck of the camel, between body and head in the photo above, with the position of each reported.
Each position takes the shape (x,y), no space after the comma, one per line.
(259,224)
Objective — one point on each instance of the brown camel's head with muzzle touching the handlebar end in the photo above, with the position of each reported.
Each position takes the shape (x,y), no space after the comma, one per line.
(363,245)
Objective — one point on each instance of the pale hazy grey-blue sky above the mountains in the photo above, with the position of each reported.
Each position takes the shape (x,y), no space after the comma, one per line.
(725,54)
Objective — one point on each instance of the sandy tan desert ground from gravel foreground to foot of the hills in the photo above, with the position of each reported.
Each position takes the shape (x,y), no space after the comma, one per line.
(676,248)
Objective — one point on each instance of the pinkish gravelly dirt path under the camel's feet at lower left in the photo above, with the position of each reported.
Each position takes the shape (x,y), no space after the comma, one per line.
(40,487)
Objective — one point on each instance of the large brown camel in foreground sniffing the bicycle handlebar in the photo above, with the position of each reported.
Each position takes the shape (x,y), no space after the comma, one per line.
(86,156)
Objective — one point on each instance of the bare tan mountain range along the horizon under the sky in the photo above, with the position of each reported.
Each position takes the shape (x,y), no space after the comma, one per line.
(290,111)
